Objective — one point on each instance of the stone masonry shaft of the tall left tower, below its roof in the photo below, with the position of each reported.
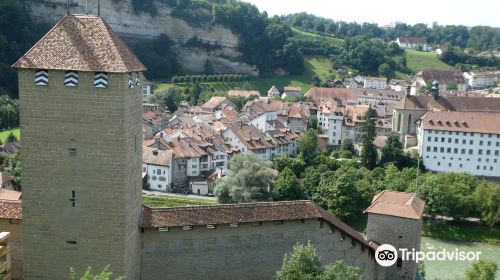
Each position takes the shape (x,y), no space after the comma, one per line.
(102,227)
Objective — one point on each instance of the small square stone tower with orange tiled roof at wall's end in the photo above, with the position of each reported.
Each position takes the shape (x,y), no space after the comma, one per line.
(395,218)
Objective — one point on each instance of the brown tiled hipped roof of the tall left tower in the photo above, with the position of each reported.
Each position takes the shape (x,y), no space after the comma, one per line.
(81,43)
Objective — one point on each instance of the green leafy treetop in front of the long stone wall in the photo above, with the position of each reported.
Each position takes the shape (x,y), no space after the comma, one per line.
(302,264)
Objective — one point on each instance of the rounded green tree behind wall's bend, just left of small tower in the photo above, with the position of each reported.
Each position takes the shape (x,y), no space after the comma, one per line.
(337,191)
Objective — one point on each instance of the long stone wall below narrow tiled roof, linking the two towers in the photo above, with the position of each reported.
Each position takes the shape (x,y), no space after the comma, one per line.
(246,252)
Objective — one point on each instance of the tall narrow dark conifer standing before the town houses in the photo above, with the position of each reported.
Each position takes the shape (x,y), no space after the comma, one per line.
(369,151)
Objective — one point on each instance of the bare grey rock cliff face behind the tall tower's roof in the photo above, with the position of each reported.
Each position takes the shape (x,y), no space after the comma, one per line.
(129,25)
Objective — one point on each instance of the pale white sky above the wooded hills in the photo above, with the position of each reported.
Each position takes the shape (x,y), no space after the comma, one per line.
(458,12)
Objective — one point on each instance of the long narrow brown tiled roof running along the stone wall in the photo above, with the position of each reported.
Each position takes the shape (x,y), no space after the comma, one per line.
(242,213)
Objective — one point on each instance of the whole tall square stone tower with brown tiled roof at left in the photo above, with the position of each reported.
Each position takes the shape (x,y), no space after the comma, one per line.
(81,124)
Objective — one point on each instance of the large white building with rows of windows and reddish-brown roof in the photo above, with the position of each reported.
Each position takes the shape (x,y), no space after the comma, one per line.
(460,142)
